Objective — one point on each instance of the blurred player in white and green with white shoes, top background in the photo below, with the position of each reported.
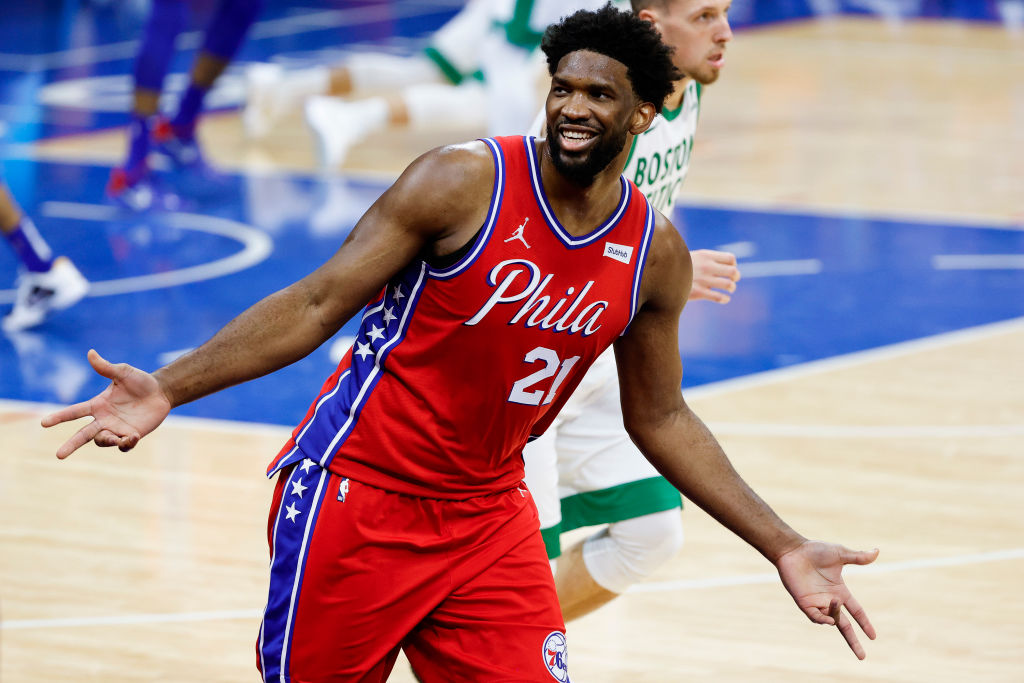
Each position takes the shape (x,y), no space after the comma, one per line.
(481,71)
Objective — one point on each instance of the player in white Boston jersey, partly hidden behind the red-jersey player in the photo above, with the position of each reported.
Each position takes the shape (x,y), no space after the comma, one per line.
(585,471)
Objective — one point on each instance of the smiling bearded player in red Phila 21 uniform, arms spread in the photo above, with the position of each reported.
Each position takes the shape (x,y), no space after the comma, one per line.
(400,519)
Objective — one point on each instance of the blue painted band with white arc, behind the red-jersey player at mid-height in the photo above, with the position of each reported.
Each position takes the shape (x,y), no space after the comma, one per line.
(815,286)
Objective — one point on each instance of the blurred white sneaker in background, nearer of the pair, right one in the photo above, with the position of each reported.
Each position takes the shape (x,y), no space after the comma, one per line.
(337,125)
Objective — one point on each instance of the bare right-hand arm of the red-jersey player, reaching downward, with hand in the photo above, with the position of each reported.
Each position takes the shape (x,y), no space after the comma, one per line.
(686,452)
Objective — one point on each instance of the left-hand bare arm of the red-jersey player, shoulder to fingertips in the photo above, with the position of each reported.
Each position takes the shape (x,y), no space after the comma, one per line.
(437,205)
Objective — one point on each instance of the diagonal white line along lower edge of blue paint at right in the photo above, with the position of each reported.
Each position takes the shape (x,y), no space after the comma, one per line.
(857,359)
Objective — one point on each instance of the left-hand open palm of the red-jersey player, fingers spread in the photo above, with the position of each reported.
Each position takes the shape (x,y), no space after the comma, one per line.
(130,409)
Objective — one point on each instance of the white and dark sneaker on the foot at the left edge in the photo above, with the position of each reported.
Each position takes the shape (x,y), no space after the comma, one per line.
(39,293)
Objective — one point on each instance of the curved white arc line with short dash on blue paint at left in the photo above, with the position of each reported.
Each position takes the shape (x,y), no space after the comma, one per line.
(257,247)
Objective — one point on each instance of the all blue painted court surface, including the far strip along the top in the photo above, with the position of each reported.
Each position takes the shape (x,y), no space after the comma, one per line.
(815,287)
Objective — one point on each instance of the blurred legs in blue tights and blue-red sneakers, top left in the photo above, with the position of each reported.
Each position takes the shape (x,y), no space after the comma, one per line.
(132,184)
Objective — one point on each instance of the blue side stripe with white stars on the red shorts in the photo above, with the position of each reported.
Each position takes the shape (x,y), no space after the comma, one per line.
(292,531)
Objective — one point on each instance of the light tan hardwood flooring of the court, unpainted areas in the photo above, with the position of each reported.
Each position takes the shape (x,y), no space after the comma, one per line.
(152,567)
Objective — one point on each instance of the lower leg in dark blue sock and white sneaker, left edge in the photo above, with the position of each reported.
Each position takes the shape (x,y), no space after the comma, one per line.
(47,283)
